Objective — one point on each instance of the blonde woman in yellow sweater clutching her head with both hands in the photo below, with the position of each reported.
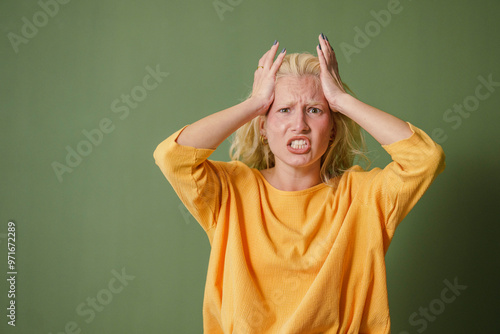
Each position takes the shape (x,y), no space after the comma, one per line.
(298,234)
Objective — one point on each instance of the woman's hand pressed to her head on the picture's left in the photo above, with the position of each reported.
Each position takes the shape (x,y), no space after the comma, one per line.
(265,78)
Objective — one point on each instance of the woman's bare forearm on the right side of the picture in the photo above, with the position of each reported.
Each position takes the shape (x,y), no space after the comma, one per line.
(384,127)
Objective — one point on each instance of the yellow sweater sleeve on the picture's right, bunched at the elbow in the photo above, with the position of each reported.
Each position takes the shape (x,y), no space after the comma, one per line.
(394,190)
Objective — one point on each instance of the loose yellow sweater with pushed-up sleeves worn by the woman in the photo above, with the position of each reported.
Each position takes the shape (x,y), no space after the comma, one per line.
(309,261)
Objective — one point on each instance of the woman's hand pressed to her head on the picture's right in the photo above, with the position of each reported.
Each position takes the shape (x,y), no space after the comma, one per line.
(329,76)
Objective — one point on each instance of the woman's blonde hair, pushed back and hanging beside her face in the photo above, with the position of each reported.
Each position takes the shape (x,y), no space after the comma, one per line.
(348,142)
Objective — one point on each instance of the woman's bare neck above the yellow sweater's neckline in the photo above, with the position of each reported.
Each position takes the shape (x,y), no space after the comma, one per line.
(288,178)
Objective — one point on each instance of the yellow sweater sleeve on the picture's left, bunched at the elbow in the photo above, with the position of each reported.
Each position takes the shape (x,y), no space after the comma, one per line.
(195,179)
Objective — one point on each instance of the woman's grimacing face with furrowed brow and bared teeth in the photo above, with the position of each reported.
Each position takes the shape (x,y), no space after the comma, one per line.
(299,123)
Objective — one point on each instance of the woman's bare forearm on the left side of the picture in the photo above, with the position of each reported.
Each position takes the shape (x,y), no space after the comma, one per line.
(209,132)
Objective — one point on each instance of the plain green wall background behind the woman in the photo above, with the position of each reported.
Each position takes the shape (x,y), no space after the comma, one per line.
(115,210)
